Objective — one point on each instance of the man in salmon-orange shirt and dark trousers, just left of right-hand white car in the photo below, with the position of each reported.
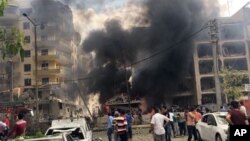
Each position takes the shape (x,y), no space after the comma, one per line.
(191,124)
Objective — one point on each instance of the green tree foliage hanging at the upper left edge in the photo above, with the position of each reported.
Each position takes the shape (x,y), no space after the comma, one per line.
(11,43)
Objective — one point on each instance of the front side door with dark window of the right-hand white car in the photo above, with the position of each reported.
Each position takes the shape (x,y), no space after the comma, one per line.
(212,125)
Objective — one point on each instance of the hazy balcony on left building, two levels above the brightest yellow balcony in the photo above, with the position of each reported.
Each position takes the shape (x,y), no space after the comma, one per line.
(64,46)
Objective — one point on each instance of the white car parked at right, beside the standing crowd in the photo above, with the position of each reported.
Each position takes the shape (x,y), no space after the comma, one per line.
(212,127)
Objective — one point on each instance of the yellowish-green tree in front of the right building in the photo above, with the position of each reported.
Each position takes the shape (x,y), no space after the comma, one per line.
(233,83)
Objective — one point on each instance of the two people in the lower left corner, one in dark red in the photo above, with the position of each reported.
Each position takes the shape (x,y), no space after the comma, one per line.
(16,132)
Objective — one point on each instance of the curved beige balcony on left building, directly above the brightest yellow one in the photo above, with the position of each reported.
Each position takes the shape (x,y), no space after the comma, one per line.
(62,60)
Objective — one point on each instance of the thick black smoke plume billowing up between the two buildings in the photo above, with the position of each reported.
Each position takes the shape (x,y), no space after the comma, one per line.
(155,79)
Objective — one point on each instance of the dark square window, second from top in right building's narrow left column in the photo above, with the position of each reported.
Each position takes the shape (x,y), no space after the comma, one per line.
(206,66)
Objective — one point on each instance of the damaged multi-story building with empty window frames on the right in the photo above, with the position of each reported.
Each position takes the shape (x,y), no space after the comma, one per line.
(231,50)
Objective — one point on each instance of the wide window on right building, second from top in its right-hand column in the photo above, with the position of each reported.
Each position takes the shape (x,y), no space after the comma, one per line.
(233,49)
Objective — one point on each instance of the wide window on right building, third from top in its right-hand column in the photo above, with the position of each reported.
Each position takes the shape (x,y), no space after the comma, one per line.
(236,64)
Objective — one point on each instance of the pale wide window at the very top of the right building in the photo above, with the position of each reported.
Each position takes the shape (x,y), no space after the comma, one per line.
(232,31)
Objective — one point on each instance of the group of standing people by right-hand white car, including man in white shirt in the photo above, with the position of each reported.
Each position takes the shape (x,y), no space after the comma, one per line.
(167,123)
